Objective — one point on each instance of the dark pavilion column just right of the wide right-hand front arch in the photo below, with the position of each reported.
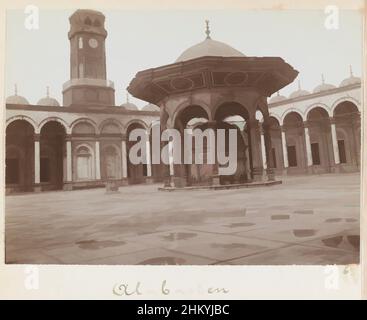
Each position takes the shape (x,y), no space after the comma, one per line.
(255,139)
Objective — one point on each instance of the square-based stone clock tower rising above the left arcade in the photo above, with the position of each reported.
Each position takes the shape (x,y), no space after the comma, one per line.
(88,84)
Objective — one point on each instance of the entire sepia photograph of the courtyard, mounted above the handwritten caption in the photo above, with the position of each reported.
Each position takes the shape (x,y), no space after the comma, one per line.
(183,137)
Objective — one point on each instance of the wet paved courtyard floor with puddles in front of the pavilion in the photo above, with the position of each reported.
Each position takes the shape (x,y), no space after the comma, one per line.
(306,220)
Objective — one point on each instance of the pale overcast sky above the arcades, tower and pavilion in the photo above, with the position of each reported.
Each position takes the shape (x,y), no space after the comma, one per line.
(139,40)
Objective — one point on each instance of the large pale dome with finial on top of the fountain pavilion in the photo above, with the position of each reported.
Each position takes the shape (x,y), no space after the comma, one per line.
(209,47)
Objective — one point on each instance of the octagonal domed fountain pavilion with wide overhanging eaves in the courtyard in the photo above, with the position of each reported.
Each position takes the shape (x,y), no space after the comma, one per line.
(217,85)
